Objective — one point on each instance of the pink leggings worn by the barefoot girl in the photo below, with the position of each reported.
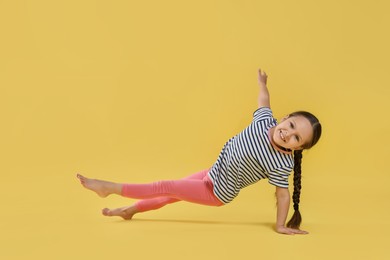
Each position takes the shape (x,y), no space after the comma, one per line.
(197,188)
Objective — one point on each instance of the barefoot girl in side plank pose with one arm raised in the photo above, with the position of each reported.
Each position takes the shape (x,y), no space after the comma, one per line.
(263,150)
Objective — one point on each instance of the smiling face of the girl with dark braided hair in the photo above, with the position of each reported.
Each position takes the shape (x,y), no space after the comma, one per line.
(292,132)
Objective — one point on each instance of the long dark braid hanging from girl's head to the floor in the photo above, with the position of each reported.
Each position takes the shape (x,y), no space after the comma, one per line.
(296,219)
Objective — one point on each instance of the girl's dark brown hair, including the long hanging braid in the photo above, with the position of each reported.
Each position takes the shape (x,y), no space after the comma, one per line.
(296,219)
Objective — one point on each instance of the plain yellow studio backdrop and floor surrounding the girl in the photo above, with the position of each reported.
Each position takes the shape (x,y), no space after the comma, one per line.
(137,91)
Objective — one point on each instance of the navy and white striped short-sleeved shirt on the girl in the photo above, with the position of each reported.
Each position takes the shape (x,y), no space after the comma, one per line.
(249,157)
